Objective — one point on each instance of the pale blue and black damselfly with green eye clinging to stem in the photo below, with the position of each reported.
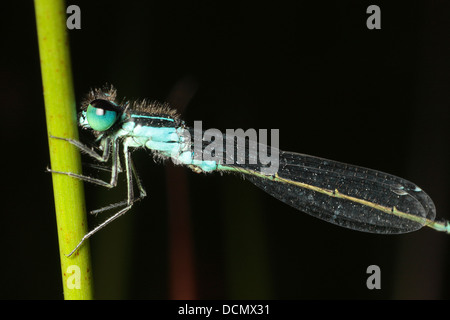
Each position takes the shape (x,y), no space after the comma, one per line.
(349,196)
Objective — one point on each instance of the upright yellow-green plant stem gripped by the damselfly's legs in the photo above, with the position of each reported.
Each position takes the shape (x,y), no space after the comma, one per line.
(61,122)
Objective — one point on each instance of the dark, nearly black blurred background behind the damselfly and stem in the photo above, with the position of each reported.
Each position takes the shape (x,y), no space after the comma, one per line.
(334,89)
